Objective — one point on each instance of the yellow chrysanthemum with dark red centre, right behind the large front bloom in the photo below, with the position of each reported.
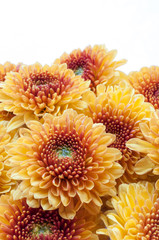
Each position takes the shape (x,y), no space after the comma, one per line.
(121,111)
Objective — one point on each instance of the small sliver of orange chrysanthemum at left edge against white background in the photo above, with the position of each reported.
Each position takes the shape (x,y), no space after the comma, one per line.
(8,67)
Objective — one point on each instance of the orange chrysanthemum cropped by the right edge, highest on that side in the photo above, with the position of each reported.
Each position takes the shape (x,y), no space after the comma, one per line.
(146,82)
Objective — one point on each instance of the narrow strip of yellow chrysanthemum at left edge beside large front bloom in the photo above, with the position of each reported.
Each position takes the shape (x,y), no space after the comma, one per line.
(5,182)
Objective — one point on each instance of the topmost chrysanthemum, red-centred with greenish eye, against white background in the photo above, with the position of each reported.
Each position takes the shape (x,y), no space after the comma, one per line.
(93,63)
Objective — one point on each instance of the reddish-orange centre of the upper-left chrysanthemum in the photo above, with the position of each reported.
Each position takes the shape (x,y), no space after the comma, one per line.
(41,90)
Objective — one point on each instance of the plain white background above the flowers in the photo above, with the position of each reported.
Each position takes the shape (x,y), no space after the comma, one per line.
(41,31)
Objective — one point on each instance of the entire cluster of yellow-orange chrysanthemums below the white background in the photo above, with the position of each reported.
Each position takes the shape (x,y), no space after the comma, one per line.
(79,143)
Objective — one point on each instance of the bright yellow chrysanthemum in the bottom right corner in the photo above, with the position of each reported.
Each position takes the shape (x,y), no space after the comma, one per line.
(135,215)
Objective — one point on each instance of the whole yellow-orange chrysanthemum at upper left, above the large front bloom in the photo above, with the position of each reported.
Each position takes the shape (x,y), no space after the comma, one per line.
(35,90)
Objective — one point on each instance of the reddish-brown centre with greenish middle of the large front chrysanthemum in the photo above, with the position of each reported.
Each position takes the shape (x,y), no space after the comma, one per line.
(64,155)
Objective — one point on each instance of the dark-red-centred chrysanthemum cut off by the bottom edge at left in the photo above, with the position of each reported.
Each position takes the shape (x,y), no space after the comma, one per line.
(19,221)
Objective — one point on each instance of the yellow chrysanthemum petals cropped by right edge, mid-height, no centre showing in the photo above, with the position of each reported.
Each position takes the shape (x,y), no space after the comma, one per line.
(149,146)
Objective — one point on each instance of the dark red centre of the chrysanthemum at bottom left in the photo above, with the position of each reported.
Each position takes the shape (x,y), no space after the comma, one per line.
(37,224)
